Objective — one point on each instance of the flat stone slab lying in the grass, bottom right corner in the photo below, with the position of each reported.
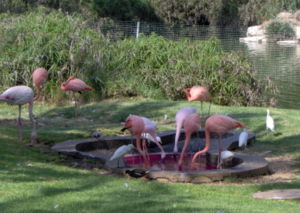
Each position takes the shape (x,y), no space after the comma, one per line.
(279,194)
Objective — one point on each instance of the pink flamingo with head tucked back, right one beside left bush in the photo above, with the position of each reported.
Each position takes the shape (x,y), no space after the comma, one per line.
(75,85)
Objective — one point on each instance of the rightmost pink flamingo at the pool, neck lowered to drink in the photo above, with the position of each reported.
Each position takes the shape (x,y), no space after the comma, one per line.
(218,124)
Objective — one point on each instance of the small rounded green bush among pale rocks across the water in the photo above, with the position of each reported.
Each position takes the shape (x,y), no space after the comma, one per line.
(278,30)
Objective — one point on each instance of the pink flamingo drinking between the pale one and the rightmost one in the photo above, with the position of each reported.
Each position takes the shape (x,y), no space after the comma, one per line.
(192,123)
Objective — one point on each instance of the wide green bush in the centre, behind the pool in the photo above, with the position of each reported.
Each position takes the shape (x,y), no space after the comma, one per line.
(159,68)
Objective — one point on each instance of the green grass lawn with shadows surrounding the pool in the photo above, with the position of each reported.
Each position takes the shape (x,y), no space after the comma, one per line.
(33,179)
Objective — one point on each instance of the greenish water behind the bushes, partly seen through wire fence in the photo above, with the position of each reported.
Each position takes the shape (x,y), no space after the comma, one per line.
(279,63)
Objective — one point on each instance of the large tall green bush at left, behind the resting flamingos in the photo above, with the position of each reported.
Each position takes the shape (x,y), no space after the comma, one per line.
(63,44)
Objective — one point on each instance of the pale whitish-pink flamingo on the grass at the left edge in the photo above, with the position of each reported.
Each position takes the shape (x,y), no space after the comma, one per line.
(19,95)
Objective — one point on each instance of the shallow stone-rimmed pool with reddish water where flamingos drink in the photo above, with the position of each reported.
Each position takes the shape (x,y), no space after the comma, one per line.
(101,149)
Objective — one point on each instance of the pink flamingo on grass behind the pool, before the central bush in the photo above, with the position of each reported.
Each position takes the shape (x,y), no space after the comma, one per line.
(198,93)
